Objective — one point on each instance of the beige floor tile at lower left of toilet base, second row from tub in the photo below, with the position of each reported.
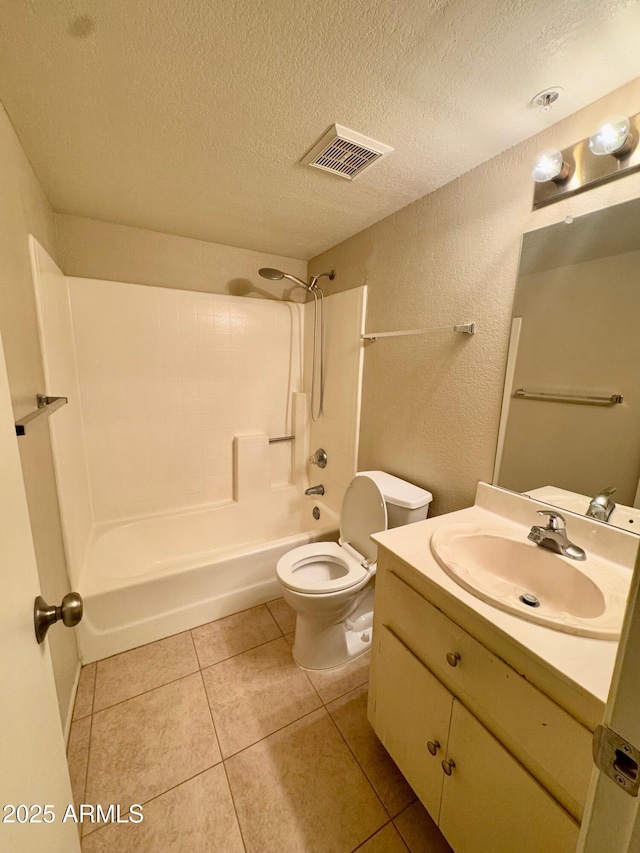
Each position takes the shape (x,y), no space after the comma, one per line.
(256,693)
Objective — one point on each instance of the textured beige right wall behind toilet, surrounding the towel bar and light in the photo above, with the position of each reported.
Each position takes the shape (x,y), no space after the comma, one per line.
(431,404)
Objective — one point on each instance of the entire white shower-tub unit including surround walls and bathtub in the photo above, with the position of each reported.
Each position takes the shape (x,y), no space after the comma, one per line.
(158,391)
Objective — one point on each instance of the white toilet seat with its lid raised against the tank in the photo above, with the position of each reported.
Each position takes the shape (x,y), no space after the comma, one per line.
(325,567)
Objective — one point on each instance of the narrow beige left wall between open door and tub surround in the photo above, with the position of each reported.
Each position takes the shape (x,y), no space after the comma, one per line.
(24,209)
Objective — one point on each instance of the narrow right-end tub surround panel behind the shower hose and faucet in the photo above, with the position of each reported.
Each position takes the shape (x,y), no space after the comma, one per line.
(338,429)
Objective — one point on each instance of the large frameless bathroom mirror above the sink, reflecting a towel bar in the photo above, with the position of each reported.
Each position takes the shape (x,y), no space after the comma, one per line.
(574,348)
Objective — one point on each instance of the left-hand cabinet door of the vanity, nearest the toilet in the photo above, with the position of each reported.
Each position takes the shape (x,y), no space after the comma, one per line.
(412,718)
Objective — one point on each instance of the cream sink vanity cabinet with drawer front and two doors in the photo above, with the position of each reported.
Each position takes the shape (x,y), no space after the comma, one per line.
(499,765)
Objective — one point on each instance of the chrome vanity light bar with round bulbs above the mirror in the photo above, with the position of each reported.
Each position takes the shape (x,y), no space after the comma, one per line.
(558,174)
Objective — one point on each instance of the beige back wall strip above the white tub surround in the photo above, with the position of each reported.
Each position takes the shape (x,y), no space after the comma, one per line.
(92,249)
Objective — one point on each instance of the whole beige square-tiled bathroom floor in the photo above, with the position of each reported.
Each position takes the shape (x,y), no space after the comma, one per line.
(232,748)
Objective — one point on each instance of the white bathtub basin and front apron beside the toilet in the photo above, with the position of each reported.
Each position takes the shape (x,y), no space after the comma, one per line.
(152,577)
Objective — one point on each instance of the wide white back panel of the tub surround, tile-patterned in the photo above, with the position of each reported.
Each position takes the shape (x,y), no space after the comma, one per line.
(167,380)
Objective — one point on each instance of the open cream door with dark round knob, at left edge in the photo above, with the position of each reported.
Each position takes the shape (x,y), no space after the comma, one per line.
(33,767)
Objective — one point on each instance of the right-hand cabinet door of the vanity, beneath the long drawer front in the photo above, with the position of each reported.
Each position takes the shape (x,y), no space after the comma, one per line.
(490,804)
